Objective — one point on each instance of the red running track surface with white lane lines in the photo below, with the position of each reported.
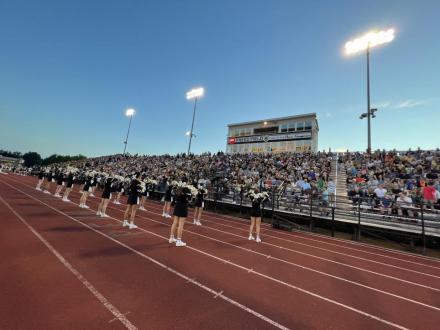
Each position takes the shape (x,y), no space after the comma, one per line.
(63,267)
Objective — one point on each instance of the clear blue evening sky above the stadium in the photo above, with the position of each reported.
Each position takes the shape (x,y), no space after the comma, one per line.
(69,69)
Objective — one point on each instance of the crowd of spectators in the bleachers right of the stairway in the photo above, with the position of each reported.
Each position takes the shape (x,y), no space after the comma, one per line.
(394,182)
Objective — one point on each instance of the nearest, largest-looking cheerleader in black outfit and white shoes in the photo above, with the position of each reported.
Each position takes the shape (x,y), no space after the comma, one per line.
(182,197)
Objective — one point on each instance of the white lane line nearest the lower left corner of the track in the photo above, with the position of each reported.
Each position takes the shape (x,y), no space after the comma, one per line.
(112,309)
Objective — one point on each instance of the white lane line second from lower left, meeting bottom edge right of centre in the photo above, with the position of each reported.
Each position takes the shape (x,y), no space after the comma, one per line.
(158,263)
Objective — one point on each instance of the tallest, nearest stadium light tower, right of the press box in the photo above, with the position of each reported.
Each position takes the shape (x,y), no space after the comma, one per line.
(365,43)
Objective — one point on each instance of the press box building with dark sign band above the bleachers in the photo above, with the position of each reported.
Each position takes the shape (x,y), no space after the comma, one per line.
(288,134)
